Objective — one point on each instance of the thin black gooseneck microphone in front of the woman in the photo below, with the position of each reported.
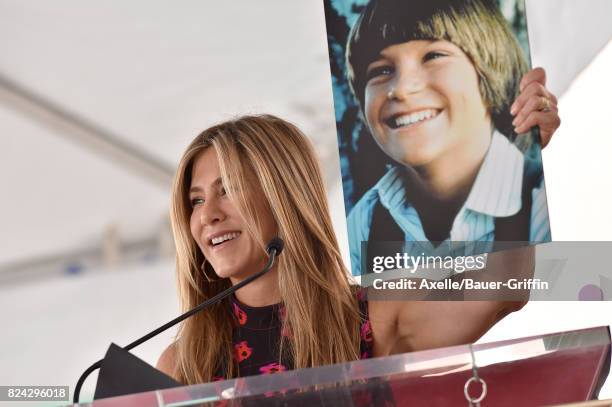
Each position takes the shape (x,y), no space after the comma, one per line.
(274,248)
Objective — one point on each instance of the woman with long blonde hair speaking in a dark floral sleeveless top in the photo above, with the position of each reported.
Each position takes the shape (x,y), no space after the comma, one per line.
(239,184)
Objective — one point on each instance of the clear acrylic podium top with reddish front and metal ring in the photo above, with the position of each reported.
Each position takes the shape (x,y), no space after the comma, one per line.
(544,370)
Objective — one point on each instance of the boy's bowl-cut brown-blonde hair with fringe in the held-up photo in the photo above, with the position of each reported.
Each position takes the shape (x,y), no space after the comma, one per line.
(475,26)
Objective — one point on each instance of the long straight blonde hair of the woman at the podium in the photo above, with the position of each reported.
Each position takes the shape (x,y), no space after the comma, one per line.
(321,308)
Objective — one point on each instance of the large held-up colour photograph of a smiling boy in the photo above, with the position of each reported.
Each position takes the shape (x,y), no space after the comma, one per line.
(432,85)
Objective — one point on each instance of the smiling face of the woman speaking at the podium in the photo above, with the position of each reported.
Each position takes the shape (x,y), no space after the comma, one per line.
(218,227)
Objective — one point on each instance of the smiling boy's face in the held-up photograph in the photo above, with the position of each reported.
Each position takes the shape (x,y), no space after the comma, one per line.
(422,102)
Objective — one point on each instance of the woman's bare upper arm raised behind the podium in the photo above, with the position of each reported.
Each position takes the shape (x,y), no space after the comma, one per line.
(407,326)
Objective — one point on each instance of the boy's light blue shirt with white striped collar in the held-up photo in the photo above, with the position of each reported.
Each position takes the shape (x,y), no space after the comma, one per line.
(496,193)
